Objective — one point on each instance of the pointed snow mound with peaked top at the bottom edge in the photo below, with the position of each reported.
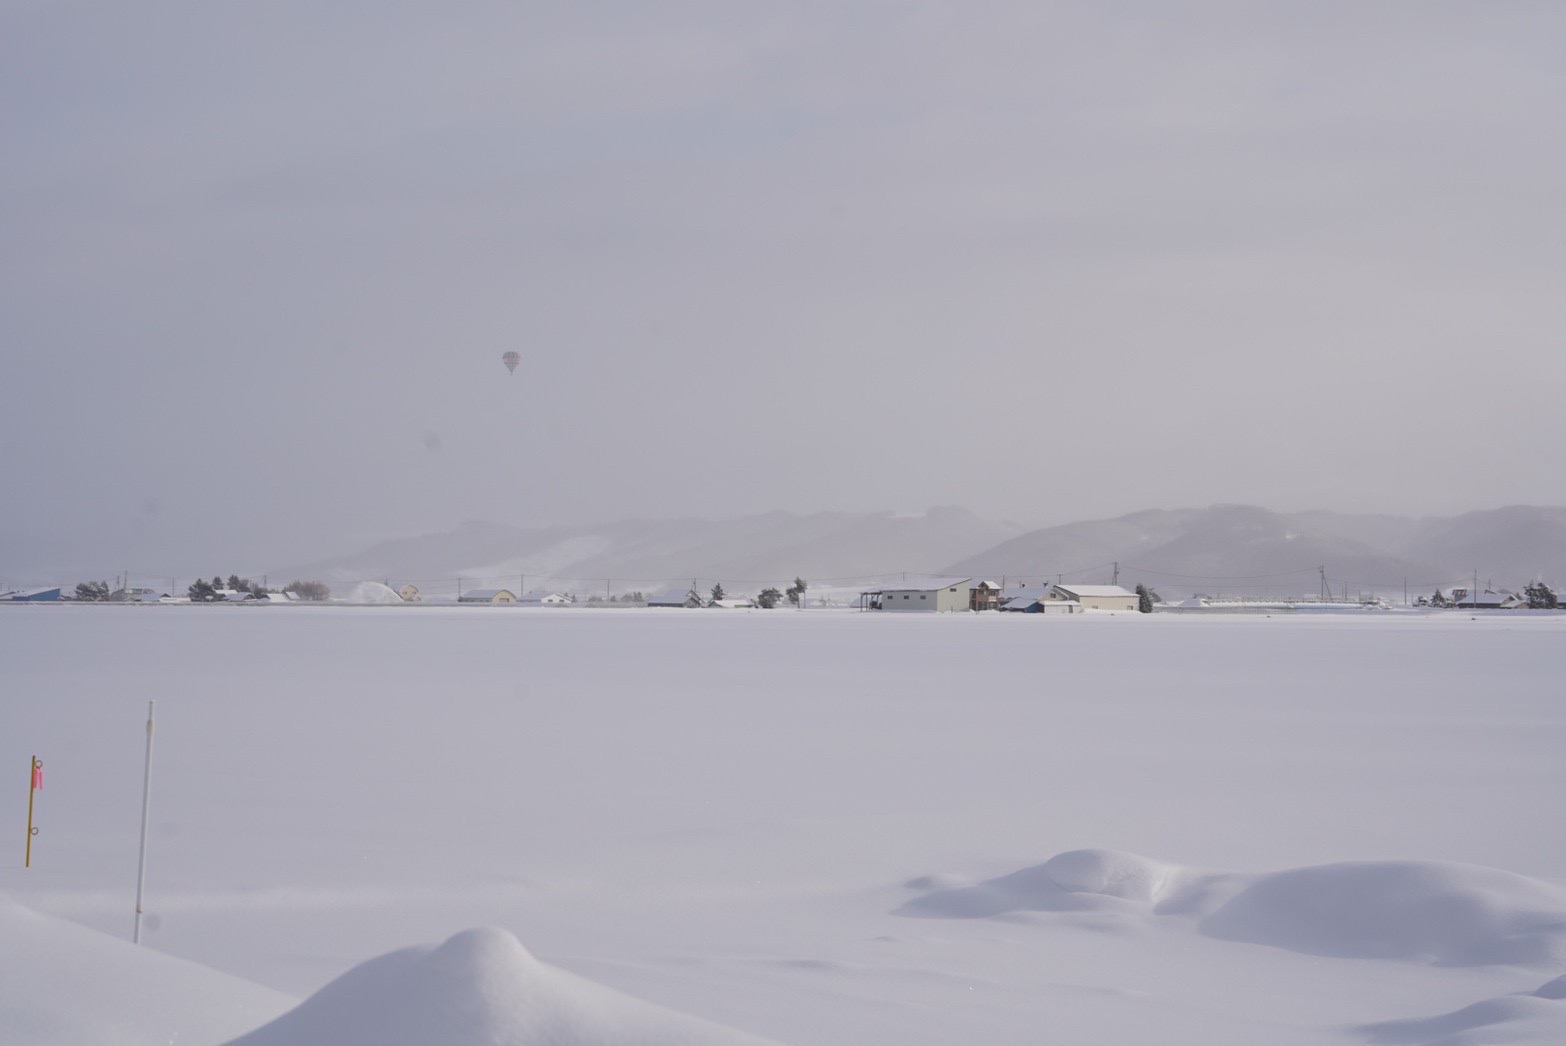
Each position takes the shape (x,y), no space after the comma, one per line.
(480,989)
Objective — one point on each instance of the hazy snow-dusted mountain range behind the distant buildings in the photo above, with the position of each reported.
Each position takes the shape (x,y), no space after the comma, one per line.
(1221,549)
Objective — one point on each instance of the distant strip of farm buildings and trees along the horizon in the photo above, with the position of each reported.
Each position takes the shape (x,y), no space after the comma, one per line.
(903,596)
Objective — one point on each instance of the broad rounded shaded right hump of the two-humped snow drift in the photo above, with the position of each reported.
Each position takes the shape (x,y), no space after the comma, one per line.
(1451,915)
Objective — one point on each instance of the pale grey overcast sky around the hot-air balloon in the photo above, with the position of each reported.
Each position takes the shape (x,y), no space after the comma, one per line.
(259,264)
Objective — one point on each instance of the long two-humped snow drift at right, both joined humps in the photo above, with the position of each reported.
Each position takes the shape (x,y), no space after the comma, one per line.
(1440,914)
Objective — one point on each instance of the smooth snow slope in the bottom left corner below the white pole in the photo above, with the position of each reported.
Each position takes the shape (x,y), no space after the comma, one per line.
(67,986)
